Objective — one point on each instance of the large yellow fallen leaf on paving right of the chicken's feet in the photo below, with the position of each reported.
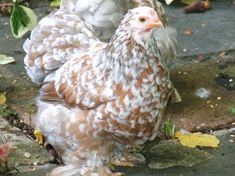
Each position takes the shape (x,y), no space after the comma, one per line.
(197,139)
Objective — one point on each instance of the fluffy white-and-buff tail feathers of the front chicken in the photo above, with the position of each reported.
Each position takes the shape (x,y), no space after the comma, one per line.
(56,37)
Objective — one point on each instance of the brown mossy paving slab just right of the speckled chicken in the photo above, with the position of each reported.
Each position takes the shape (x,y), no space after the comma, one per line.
(195,113)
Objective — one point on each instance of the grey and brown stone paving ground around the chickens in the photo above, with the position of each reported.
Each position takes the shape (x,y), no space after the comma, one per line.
(206,59)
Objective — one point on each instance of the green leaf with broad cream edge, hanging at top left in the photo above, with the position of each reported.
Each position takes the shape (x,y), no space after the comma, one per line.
(23,19)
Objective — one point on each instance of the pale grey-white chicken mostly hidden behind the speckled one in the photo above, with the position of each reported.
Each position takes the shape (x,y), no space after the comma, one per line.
(105,15)
